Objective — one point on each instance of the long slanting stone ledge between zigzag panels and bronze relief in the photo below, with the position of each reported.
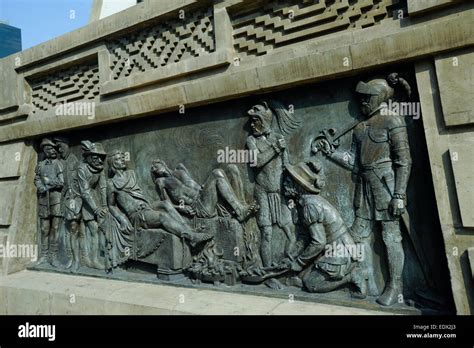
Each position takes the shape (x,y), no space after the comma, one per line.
(306,66)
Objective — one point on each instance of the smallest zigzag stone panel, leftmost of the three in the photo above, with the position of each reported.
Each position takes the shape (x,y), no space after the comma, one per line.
(66,86)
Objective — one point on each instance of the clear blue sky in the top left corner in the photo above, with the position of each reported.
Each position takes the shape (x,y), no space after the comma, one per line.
(43,20)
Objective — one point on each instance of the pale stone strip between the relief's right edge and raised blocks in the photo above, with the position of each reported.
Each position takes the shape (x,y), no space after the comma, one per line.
(439,142)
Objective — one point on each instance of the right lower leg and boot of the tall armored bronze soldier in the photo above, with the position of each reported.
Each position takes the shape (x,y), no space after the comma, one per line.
(394,290)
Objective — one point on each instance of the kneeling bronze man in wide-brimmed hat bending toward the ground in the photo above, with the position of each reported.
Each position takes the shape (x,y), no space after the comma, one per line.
(331,251)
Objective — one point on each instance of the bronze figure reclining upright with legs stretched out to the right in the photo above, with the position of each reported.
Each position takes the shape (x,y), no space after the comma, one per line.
(132,210)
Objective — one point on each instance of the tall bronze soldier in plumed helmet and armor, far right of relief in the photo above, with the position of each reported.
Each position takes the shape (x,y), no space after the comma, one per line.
(380,156)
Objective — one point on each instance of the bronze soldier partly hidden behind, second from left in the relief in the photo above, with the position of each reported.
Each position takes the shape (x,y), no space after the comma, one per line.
(70,202)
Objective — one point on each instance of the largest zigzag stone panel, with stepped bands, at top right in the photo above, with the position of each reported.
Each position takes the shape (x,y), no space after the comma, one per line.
(276,23)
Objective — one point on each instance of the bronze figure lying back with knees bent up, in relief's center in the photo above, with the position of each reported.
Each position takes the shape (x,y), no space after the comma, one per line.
(188,197)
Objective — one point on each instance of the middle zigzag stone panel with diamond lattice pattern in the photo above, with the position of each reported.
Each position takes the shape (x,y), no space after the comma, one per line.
(162,44)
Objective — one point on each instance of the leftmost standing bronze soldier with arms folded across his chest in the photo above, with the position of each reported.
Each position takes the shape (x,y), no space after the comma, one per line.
(49,180)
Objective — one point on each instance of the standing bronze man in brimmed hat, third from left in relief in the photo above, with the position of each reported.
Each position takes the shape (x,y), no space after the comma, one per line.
(92,187)
